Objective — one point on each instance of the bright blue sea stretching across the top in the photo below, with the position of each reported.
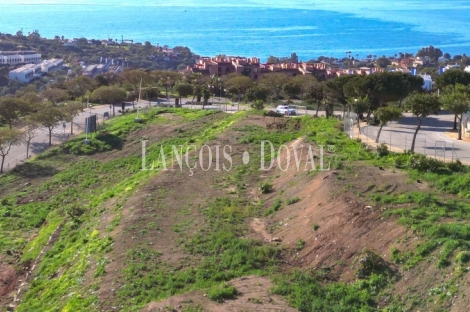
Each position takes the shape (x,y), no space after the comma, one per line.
(254,27)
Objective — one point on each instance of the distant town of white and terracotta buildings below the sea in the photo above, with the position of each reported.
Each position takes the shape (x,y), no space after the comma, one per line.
(29,64)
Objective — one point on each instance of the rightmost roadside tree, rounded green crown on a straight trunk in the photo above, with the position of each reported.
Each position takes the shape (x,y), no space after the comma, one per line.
(456,100)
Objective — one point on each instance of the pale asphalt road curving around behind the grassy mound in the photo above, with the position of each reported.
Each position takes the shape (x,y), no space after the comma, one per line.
(431,139)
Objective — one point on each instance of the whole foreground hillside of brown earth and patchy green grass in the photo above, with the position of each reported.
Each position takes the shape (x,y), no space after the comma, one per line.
(83,228)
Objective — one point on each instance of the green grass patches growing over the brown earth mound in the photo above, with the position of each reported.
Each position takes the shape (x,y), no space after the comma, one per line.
(78,190)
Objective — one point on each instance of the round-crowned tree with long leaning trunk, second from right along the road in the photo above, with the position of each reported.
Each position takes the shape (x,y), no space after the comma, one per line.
(421,105)
